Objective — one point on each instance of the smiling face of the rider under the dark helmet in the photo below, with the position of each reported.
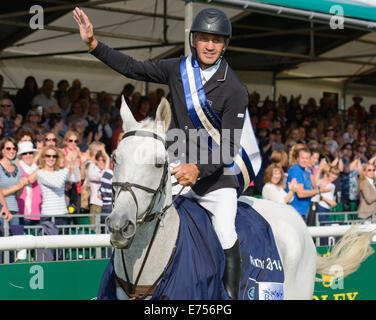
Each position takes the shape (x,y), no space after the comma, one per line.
(209,47)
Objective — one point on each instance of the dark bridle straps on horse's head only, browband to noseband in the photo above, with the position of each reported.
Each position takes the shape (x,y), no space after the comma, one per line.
(148,215)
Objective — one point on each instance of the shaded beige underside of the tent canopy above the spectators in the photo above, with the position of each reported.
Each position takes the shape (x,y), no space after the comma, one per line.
(131,23)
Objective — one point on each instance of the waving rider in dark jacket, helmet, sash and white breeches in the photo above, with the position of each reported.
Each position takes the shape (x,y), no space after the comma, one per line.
(203,77)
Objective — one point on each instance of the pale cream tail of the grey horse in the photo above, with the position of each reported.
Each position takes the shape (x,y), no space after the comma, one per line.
(347,255)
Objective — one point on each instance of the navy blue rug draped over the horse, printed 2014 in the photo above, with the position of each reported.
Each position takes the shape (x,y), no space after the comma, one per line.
(196,269)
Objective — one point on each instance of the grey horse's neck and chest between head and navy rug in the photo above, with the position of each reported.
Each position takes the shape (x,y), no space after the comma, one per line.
(161,249)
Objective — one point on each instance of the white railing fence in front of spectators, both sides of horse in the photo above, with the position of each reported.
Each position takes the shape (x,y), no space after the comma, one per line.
(94,243)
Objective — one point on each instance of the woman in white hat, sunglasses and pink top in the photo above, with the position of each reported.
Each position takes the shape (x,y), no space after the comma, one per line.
(30,200)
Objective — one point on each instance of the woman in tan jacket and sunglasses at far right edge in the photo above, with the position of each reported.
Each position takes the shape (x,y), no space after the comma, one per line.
(367,192)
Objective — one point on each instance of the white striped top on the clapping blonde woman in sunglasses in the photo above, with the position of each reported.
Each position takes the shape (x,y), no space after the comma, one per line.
(52,185)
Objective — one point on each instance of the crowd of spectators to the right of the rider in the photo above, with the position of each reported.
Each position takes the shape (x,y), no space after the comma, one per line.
(315,156)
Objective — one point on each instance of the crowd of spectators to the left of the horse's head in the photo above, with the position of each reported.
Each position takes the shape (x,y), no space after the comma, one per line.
(55,150)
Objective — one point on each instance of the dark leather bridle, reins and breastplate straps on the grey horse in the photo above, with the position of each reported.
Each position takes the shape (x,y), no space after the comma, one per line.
(147,216)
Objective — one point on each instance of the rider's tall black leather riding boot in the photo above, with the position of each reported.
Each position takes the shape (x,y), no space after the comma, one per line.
(231,277)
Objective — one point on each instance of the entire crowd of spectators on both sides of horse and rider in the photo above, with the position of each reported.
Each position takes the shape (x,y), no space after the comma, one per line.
(56,146)
